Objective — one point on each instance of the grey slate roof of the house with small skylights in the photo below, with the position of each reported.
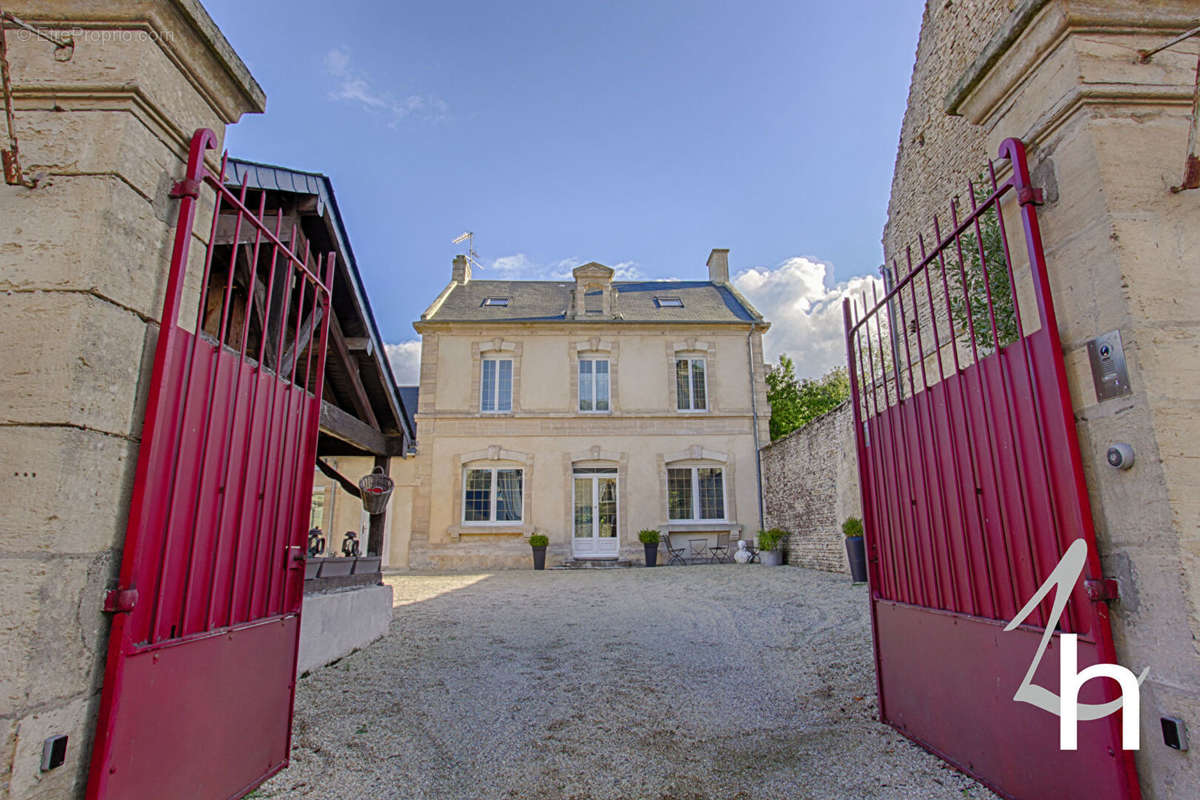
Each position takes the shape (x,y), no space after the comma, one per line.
(633,303)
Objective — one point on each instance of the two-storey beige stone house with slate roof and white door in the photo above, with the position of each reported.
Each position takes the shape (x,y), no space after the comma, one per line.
(585,411)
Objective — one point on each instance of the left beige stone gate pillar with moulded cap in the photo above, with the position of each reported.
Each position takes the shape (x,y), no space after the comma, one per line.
(83,264)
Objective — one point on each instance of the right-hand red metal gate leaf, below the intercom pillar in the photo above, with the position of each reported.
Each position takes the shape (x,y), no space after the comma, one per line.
(973,490)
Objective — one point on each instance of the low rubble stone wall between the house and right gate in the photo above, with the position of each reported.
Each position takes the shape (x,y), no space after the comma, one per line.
(811,488)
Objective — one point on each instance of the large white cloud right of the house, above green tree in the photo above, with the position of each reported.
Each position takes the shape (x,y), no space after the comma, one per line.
(805,312)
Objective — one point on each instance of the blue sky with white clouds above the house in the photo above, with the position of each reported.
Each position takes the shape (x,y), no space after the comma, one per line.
(639,135)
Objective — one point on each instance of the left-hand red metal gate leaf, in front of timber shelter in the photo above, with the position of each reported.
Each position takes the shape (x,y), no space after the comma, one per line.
(201,672)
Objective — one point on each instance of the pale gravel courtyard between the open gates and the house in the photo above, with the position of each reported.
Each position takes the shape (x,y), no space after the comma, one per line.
(676,683)
